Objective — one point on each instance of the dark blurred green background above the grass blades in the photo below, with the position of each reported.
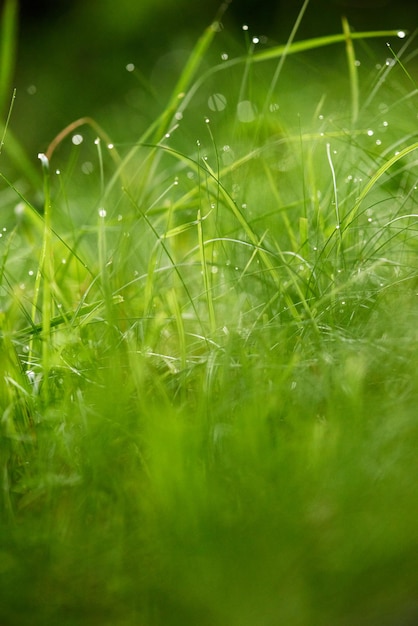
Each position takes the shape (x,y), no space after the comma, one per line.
(72,55)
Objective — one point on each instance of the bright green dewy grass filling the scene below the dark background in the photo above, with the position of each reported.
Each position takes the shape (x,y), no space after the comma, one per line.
(208,398)
